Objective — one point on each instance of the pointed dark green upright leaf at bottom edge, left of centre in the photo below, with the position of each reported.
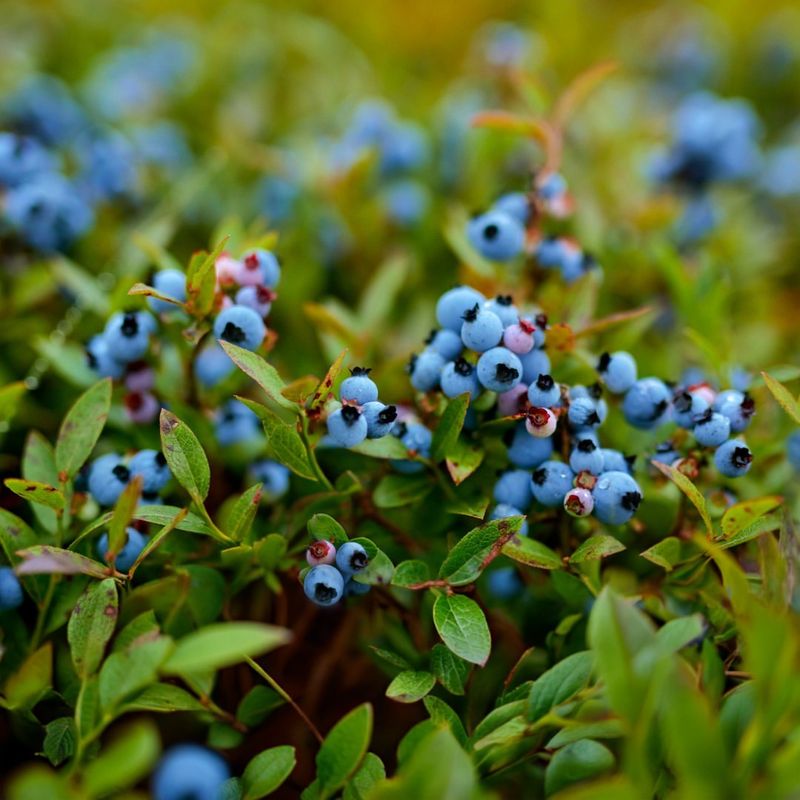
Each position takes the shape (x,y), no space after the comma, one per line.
(343,749)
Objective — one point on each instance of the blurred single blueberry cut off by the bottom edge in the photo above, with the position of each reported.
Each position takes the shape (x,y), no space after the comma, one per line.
(189,771)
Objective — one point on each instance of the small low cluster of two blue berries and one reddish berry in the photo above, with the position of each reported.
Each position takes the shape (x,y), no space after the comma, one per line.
(333,570)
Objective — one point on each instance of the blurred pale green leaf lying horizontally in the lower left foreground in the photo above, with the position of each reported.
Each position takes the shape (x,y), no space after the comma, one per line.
(222,645)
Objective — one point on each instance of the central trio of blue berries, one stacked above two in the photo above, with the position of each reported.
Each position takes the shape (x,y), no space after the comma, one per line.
(361,415)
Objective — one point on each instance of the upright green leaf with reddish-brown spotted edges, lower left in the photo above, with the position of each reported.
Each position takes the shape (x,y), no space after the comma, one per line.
(91,625)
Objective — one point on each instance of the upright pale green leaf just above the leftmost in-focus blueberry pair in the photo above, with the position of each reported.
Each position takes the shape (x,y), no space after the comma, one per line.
(82,427)
